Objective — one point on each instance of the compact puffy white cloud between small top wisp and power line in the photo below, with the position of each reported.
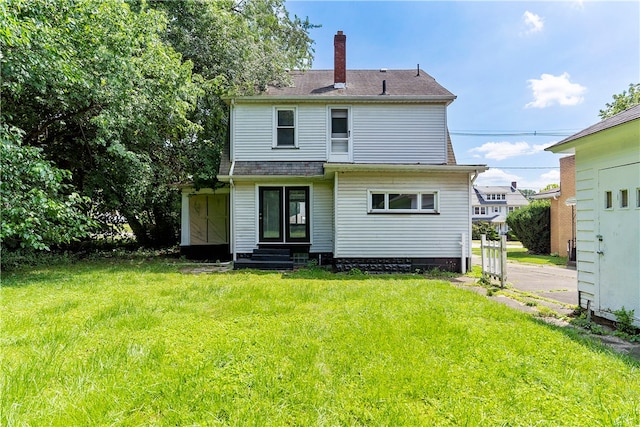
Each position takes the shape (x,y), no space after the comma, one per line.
(550,90)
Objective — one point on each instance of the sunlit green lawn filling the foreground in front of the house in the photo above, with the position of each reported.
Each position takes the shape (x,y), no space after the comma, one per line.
(132,343)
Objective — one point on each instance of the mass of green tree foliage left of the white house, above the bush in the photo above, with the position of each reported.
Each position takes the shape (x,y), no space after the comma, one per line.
(127,96)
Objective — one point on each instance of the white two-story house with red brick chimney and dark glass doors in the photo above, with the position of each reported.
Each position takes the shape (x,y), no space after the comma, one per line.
(353,168)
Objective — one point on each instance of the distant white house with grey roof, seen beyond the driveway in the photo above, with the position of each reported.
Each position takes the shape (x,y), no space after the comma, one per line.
(493,203)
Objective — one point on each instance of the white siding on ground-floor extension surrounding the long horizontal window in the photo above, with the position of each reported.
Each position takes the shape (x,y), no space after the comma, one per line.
(360,234)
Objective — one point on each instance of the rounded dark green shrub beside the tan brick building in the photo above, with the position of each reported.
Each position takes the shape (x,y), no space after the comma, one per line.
(532,226)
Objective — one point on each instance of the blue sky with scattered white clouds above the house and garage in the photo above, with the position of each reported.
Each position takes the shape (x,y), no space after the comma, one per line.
(526,74)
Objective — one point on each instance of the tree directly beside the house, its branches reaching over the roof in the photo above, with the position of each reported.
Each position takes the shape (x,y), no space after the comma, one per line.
(238,47)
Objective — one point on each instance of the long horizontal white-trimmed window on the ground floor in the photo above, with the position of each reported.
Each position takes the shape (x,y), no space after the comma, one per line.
(403,201)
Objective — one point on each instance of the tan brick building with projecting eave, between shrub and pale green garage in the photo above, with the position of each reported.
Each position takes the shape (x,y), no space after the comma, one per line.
(563,210)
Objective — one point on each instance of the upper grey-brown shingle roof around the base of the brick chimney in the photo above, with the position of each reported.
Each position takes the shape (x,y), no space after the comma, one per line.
(362,83)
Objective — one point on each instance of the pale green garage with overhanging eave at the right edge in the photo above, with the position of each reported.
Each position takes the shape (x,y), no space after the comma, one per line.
(607,162)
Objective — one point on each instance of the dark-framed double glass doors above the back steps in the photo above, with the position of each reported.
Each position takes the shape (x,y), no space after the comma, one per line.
(284,214)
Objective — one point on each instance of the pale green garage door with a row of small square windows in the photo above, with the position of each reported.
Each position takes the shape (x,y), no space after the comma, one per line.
(618,239)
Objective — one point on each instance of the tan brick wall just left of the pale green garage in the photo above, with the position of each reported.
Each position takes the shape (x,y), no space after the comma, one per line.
(563,216)
